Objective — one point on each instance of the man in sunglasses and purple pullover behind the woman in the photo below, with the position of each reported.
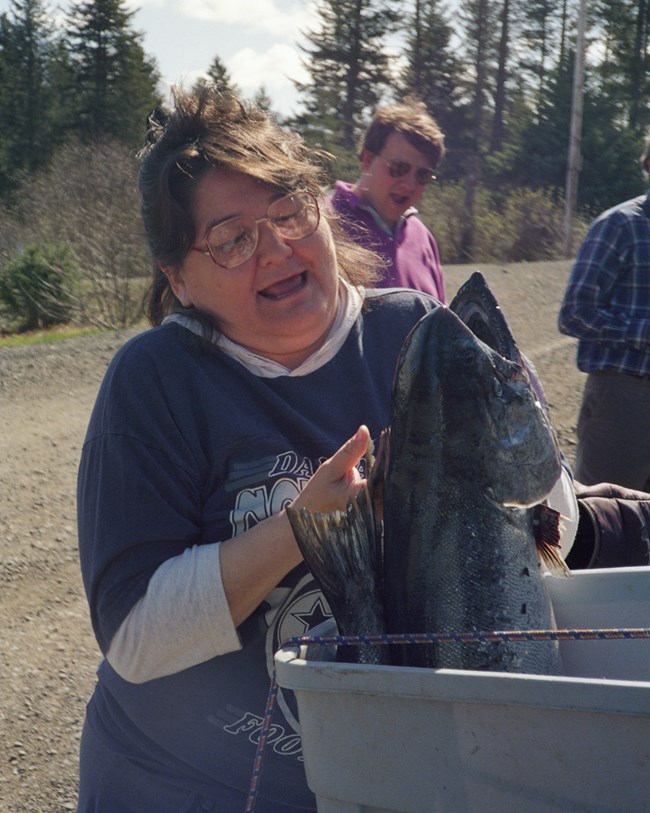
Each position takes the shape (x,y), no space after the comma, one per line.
(399,154)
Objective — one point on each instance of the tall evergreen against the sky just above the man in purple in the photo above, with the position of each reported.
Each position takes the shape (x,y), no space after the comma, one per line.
(349,68)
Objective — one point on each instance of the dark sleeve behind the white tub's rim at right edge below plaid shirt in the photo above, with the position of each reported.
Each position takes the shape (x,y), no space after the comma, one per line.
(613,527)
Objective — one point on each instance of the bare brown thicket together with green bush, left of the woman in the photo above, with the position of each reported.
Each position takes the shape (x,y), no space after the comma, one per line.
(72,250)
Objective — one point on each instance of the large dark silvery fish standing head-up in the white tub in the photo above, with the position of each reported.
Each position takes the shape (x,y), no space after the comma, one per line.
(472,439)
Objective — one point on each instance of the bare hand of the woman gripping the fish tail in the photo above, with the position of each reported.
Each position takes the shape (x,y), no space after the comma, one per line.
(337,480)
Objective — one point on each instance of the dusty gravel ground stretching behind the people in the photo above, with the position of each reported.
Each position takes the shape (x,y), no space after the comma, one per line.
(48,654)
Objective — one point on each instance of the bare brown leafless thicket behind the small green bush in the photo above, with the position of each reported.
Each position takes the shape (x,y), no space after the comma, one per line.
(87,199)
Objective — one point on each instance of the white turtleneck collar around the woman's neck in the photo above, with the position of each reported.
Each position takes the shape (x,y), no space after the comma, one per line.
(347,311)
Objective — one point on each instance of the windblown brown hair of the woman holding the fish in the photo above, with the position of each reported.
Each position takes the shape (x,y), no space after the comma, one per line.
(207,129)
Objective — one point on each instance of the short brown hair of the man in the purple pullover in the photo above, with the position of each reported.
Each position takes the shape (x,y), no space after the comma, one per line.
(410,118)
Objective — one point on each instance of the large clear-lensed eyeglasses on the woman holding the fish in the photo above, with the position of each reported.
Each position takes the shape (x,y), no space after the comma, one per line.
(234,241)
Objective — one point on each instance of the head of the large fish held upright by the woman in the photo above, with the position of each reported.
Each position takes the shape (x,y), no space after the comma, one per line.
(459,400)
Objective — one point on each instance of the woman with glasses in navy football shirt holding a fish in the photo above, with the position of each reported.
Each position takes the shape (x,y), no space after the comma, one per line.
(268,368)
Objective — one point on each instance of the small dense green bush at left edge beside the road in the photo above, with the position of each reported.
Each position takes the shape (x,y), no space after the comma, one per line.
(34,287)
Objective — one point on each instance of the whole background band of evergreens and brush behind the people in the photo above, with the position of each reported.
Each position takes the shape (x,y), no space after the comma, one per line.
(75,93)
